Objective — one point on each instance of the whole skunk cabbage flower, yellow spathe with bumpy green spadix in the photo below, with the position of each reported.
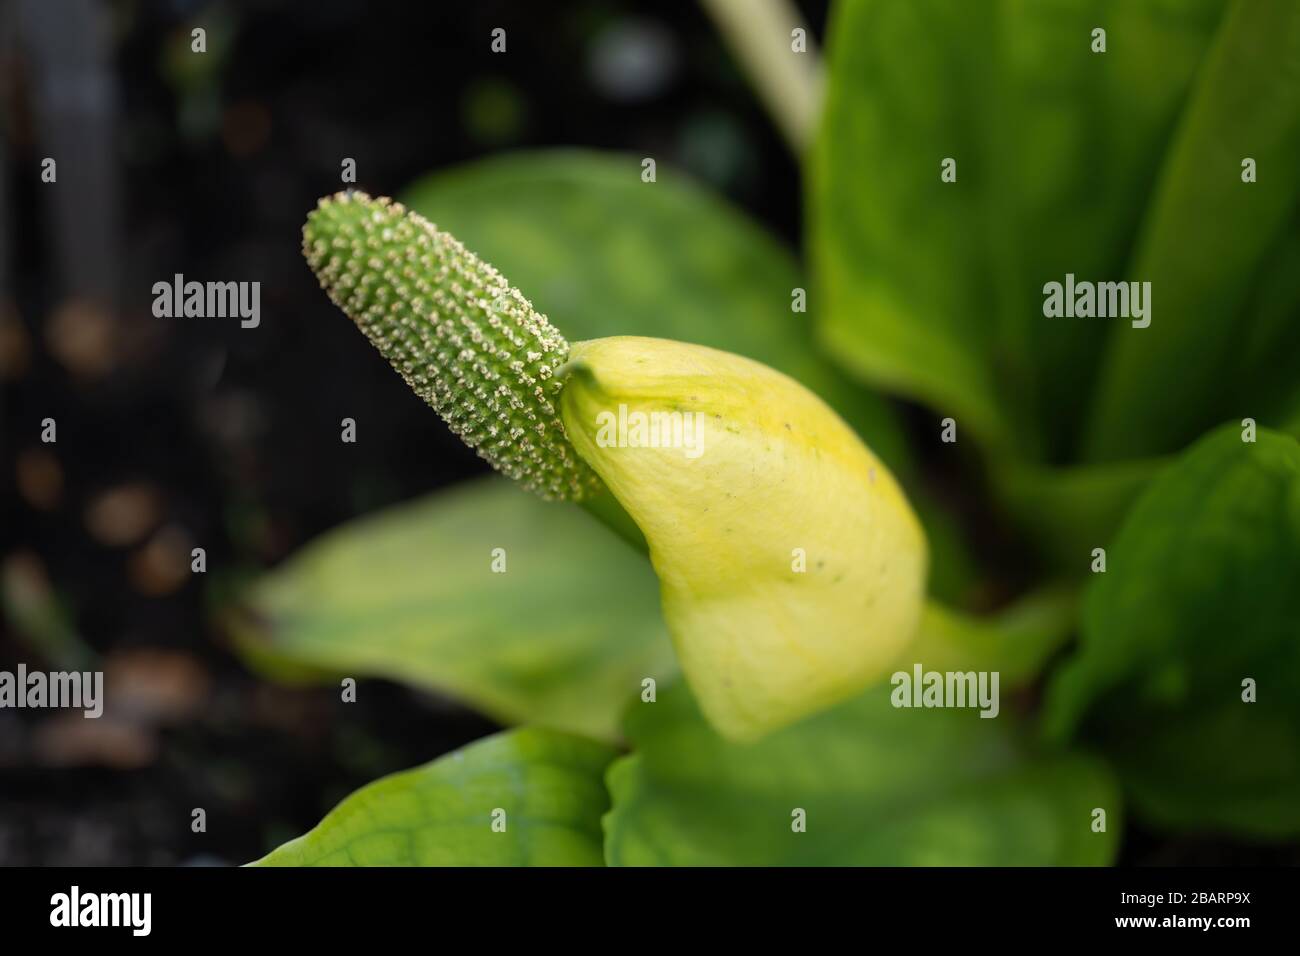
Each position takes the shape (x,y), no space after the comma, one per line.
(792,568)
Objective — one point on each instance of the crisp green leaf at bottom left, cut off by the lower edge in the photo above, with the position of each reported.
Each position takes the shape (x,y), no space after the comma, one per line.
(549,786)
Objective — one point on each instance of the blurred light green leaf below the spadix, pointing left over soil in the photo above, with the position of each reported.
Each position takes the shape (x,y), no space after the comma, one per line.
(562,639)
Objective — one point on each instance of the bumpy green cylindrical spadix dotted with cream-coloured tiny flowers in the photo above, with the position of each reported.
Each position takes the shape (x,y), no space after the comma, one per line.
(458,334)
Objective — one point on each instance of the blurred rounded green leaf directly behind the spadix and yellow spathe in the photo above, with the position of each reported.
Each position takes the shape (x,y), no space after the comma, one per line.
(605,254)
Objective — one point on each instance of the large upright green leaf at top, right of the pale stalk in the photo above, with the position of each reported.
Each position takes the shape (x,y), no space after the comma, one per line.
(935,289)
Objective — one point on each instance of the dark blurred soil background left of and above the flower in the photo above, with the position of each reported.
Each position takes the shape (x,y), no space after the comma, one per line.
(175,434)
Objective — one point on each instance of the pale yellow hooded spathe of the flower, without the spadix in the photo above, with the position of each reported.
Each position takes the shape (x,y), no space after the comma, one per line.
(792,568)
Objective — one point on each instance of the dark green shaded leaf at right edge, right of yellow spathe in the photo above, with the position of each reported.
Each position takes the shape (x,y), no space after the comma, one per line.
(1202,591)
